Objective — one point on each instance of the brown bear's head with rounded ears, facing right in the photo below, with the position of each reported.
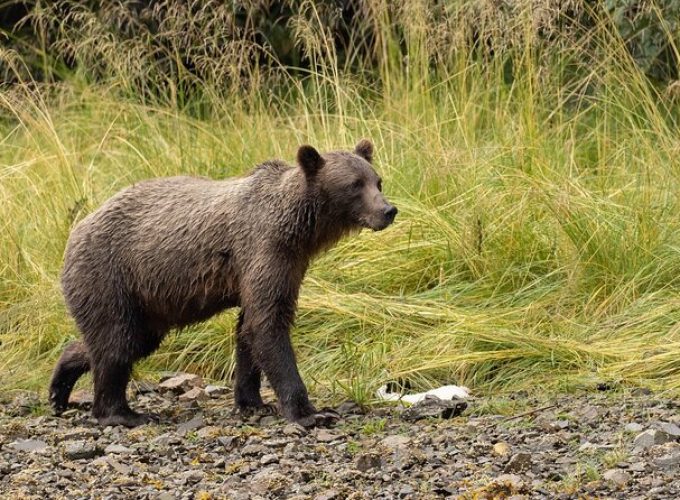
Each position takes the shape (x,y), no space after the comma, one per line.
(349,186)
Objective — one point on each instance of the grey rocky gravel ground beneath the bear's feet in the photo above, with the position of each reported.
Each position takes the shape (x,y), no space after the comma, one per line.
(601,444)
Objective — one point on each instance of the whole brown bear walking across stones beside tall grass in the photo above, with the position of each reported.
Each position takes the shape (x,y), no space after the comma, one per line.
(166,253)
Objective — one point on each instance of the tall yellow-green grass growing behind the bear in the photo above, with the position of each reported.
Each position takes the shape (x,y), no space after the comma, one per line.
(538,241)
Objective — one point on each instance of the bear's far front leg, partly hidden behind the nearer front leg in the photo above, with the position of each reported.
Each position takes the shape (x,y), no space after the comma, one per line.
(248,379)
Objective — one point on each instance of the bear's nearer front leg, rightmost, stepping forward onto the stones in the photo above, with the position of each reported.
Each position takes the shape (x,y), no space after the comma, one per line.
(267,325)
